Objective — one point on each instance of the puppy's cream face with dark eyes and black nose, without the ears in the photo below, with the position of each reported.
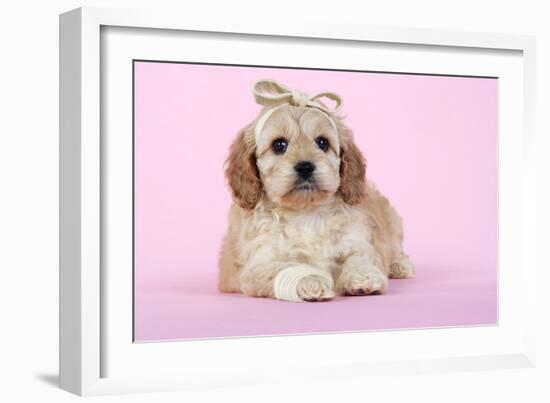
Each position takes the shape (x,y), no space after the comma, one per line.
(298,157)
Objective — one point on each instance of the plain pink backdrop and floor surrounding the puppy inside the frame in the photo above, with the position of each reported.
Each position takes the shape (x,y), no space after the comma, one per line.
(431,146)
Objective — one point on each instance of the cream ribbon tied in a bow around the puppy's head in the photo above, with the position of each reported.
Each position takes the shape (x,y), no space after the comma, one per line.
(272,94)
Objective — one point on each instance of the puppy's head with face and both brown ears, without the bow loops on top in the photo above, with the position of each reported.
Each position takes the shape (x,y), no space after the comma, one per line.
(295,156)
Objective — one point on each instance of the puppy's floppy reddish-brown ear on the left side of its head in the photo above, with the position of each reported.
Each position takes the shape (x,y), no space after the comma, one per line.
(241,170)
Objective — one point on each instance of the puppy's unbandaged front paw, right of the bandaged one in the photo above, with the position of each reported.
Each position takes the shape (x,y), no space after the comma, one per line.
(362,282)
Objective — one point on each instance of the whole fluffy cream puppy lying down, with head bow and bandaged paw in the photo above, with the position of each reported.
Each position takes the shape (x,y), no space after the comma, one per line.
(305,225)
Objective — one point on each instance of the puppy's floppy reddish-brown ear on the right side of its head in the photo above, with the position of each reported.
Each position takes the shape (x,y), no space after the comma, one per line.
(352,169)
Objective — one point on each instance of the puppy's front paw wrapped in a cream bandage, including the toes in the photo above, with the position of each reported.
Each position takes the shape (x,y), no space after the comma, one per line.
(303,283)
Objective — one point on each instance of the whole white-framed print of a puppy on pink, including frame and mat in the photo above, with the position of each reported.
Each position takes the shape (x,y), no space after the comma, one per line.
(238,198)
